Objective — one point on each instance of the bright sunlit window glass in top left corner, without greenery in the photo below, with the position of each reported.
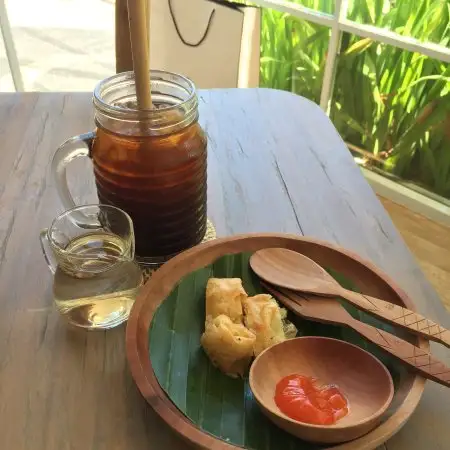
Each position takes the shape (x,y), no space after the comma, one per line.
(61,45)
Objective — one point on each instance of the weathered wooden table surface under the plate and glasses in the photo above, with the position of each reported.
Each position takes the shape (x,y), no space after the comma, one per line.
(275,164)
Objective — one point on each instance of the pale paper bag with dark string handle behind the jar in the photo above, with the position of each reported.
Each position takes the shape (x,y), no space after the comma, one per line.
(215,43)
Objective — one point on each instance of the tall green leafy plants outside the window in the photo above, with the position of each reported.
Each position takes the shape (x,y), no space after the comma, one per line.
(393,103)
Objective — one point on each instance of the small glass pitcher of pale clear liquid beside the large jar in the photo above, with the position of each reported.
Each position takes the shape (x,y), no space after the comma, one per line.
(90,251)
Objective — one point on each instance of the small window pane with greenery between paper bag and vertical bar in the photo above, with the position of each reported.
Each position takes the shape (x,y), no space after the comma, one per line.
(293,53)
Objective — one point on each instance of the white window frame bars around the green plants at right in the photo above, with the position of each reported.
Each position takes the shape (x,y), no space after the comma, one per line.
(339,23)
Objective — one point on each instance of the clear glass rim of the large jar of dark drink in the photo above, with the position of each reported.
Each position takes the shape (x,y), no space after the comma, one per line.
(155,74)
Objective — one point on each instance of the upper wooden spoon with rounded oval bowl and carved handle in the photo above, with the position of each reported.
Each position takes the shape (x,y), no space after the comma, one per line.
(292,270)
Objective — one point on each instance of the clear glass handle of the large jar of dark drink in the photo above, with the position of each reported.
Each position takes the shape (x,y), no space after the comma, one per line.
(73,148)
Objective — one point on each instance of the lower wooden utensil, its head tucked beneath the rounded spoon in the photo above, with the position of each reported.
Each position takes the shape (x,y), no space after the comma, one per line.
(327,310)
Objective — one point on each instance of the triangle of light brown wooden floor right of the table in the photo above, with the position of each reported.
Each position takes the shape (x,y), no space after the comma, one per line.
(430,243)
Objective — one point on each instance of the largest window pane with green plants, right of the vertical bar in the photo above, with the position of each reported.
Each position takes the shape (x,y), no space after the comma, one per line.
(395,105)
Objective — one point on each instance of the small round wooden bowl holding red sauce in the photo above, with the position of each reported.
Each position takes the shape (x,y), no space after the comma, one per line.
(362,378)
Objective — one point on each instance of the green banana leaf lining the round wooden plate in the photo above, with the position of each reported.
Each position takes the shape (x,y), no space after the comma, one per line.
(214,402)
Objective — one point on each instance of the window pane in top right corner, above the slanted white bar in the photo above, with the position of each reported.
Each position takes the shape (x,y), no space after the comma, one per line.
(426,20)
